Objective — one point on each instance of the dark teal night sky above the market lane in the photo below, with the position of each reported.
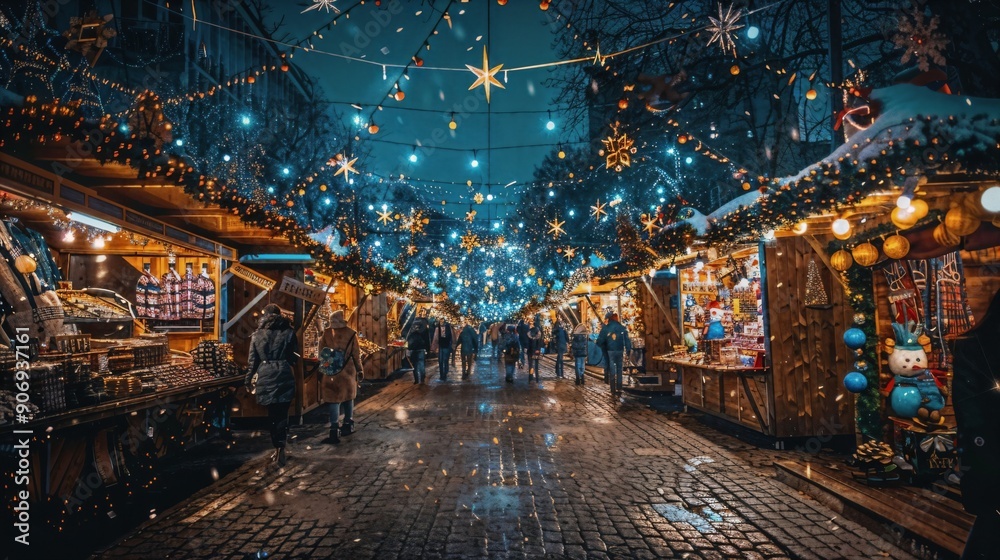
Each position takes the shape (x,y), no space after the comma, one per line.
(518,34)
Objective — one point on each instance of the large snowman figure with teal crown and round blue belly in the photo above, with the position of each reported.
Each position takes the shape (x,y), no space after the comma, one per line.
(914,392)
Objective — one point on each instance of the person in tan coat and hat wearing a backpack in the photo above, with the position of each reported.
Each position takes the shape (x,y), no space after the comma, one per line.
(339,386)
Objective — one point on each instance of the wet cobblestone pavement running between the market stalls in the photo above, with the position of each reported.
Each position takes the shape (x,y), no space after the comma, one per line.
(482,469)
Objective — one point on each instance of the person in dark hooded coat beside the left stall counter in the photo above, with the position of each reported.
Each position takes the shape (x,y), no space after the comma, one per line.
(269,377)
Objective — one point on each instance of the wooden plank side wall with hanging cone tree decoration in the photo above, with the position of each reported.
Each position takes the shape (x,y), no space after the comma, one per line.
(808,356)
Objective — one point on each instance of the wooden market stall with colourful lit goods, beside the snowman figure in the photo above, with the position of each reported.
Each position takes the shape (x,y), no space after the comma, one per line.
(775,364)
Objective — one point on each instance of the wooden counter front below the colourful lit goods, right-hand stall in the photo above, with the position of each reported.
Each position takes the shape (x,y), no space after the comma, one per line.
(735,393)
